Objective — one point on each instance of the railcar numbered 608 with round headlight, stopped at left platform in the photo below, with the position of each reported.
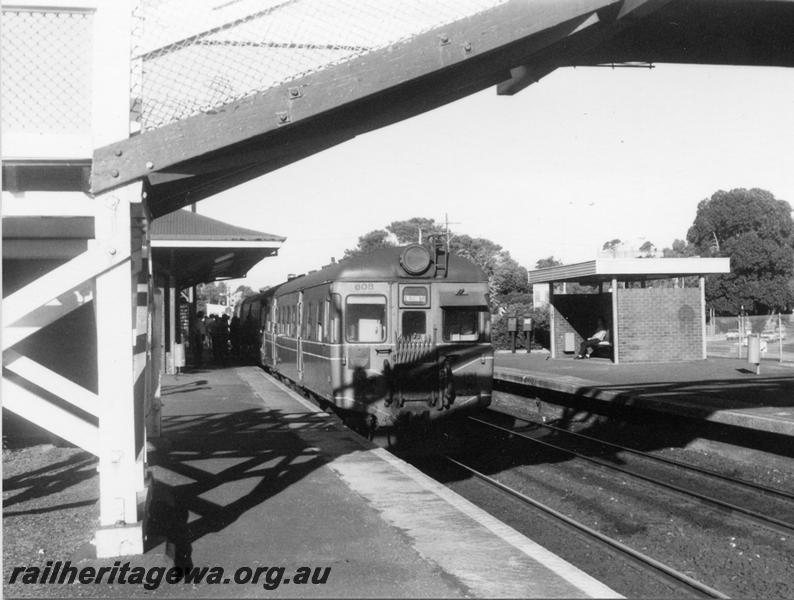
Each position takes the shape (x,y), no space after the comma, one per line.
(390,336)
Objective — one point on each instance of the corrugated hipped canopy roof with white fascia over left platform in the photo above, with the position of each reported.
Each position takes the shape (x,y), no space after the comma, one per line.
(197,249)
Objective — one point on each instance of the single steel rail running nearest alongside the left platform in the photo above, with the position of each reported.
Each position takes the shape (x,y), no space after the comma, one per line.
(644,561)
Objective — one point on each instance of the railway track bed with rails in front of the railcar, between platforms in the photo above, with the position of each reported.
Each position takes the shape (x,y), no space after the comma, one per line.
(667,522)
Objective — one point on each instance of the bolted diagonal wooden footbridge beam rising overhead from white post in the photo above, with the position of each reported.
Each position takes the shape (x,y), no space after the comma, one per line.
(435,67)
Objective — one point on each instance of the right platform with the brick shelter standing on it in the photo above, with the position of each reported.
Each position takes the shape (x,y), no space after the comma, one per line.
(718,390)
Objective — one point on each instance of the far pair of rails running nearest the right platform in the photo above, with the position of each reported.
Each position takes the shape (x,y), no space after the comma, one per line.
(783,500)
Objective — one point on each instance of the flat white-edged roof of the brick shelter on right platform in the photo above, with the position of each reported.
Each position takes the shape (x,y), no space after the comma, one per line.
(630,269)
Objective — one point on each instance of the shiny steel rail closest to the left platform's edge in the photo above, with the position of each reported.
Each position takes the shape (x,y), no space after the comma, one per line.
(638,556)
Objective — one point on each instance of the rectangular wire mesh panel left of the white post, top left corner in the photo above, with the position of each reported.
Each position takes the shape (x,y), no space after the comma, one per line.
(45,60)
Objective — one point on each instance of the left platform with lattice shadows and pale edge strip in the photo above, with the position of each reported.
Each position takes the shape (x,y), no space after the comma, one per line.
(250,474)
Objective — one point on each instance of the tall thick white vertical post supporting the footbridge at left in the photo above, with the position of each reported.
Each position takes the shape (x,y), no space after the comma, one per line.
(120,325)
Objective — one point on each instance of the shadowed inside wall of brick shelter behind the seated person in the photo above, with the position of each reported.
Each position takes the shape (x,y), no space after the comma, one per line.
(578,314)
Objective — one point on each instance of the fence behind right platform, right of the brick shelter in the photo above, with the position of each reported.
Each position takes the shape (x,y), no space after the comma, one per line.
(727,336)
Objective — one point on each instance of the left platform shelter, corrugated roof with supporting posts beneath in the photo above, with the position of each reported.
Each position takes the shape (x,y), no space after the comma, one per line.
(189,249)
